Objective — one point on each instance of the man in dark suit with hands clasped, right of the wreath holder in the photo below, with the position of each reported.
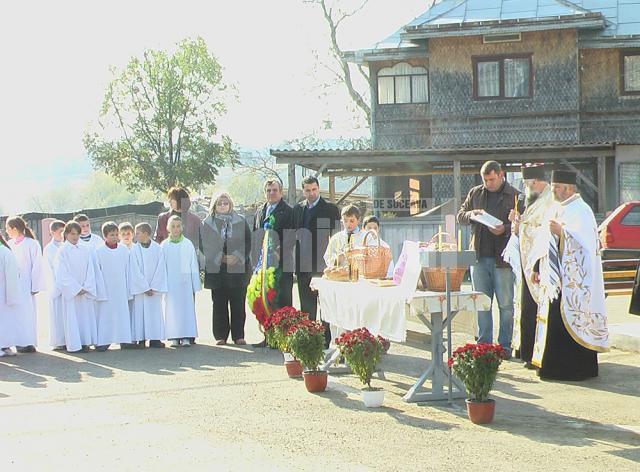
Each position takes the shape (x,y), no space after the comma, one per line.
(315,220)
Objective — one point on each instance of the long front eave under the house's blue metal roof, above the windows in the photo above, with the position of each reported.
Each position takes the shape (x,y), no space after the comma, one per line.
(592,21)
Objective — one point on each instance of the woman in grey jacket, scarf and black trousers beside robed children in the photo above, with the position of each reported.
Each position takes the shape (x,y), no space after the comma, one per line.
(225,241)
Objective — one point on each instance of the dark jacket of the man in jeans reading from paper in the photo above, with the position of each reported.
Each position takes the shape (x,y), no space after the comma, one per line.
(477,200)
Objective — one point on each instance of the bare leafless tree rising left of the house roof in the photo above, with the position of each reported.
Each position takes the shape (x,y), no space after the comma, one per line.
(334,15)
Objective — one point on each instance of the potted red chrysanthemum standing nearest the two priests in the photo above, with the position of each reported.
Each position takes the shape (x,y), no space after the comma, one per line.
(476,365)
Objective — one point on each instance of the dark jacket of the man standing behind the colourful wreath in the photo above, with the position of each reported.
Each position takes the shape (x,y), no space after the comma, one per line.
(283,216)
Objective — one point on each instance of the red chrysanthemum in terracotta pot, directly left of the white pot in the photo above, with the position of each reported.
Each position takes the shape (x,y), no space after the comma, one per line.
(306,341)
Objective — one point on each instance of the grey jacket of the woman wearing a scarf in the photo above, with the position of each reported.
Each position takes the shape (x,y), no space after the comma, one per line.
(217,274)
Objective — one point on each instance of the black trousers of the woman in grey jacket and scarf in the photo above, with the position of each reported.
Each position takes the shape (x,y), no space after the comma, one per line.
(223,298)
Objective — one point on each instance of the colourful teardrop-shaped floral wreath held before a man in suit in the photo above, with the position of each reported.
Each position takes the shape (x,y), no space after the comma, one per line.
(263,289)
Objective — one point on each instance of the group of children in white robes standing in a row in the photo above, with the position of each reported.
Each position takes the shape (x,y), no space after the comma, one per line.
(100,291)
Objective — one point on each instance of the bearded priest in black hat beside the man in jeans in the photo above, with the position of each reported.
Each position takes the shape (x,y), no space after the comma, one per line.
(528,227)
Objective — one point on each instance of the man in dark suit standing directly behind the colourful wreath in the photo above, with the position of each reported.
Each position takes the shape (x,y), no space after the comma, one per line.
(283,225)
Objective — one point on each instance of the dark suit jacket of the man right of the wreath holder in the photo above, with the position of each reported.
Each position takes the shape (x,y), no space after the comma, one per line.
(311,245)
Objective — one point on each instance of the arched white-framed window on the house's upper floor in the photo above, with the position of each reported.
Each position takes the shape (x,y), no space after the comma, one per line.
(403,83)
